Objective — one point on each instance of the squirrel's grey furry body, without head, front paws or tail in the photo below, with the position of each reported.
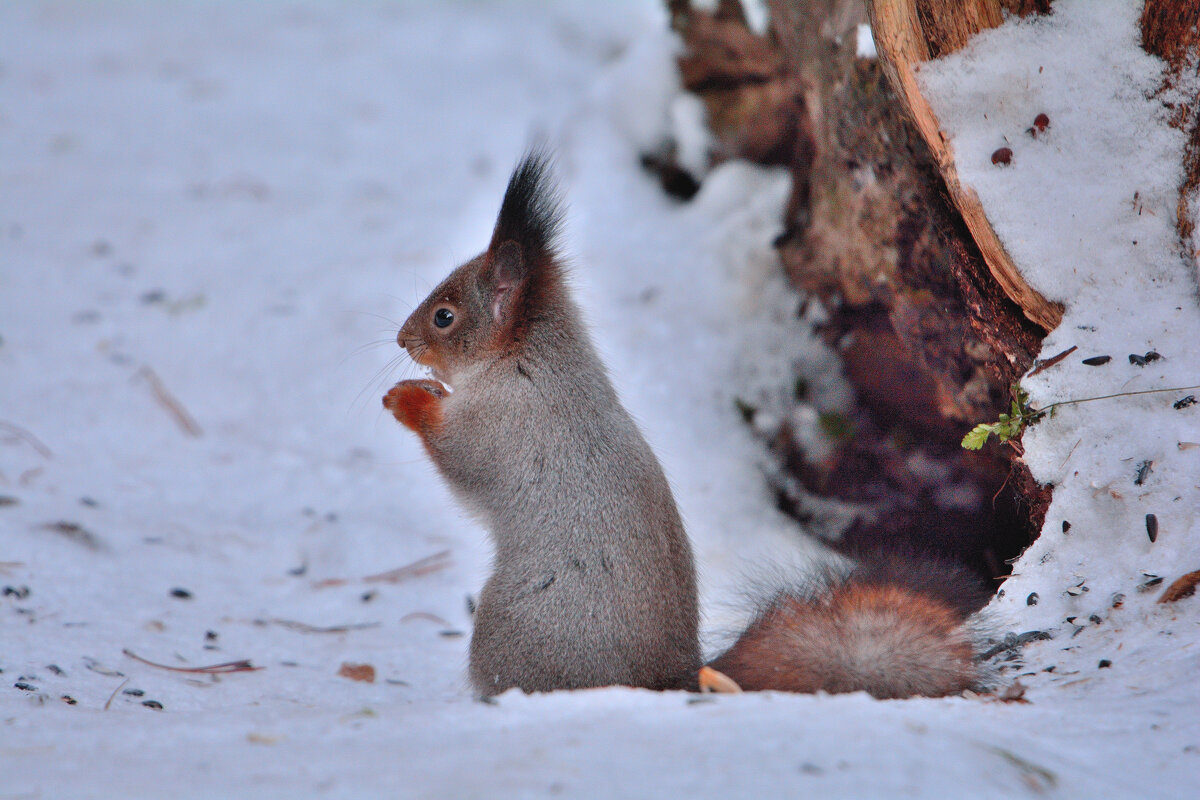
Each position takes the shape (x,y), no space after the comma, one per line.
(593,581)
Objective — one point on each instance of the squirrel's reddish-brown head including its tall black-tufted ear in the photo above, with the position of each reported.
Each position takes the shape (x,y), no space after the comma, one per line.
(485,308)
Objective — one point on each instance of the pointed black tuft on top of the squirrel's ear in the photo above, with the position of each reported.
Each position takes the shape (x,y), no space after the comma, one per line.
(532,213)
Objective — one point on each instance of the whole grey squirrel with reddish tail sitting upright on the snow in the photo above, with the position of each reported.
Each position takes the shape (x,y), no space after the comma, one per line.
(593,581)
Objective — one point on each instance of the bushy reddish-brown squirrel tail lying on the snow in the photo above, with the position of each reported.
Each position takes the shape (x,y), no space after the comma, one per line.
(895,627)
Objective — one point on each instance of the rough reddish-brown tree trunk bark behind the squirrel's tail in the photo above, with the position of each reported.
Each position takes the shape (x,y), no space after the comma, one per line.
(929,336)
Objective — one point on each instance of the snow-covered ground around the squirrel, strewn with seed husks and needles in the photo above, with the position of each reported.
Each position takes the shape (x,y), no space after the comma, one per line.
(208,210)
